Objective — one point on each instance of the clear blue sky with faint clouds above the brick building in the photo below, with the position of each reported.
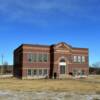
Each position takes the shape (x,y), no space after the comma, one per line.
(76,22)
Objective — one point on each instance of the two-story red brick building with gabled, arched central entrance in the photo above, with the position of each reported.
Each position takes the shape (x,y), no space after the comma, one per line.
(41,61)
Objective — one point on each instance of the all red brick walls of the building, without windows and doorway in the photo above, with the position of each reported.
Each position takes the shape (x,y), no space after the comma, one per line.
(53,59)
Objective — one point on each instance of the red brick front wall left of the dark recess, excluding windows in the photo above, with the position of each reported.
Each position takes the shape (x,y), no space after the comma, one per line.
(29,65)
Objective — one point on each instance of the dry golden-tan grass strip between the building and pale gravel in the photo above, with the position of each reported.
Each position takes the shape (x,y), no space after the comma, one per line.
(69,85)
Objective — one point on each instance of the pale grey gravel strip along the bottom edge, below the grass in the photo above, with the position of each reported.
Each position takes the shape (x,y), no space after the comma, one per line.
(12,95)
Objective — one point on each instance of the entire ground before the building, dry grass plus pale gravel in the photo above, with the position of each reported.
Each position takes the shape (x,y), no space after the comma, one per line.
(69,89)
